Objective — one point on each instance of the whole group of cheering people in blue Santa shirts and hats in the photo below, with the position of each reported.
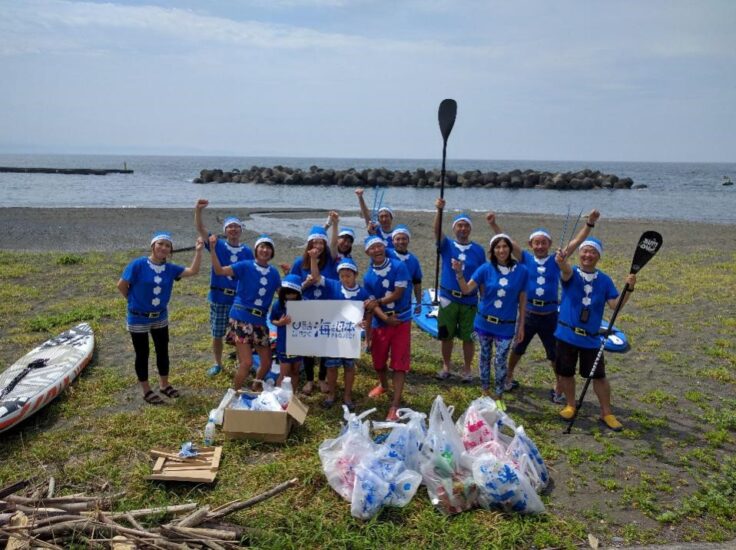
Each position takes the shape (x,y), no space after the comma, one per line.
(501,296)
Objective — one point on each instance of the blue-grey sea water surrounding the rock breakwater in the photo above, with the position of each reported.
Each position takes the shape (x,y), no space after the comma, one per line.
(675,191)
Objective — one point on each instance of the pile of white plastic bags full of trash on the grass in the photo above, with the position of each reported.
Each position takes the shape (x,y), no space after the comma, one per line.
(482,460)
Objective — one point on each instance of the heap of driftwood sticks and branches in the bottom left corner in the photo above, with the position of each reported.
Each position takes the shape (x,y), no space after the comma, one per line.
(56,522)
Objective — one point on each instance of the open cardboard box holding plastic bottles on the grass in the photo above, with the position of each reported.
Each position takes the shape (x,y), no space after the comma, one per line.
(273,426)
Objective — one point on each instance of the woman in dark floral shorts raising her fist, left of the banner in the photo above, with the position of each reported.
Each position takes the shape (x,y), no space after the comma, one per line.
(247,329)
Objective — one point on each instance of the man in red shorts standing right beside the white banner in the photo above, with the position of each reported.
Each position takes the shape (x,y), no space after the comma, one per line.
(387,283)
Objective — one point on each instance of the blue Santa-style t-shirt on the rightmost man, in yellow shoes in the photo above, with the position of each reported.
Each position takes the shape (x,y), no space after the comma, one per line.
(584,290)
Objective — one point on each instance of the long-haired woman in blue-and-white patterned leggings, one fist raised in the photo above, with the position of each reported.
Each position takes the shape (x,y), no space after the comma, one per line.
(502,282)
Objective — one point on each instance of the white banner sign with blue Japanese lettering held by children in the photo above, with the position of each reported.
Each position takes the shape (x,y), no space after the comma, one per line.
(324,328)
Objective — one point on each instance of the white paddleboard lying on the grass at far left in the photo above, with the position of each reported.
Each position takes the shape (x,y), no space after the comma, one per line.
(36,379)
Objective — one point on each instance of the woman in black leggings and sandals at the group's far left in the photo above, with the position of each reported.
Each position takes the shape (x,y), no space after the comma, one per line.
(146,284)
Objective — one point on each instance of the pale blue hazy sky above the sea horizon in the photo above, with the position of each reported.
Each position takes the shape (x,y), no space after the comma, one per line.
(541,80)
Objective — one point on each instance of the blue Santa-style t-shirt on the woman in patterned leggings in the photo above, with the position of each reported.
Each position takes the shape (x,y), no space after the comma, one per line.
(499,298)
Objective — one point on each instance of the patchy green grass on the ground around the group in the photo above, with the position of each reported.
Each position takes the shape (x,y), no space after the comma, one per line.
(669,476)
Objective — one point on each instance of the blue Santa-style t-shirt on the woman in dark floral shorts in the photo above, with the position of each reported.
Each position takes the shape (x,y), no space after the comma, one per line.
(255,290)
